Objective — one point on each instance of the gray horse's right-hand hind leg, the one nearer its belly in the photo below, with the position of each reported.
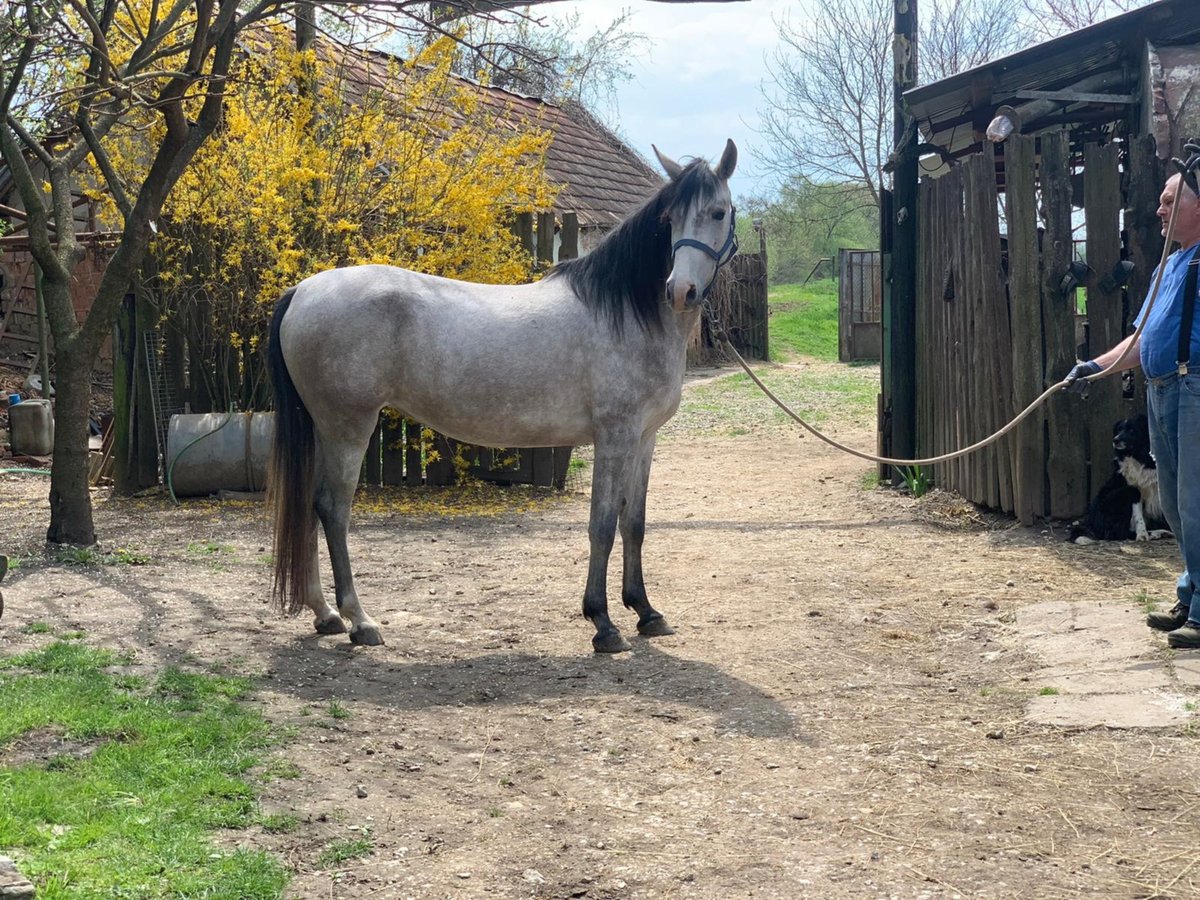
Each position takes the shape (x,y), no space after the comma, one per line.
(338,477)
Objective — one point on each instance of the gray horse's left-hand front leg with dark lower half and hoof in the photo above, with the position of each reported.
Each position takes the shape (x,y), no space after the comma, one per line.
(609,476)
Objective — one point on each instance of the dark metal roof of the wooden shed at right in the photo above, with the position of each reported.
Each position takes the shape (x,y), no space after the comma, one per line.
(955,112)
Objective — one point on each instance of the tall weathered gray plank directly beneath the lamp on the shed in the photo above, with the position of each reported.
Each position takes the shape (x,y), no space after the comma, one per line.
(1025,301)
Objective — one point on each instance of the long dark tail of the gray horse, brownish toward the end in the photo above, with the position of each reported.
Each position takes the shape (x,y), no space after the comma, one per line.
(291,481)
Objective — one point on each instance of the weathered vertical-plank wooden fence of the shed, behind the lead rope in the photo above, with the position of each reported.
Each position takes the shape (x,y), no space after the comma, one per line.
(995,328)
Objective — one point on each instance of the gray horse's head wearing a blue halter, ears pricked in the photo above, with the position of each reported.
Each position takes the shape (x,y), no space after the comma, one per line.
(703,227)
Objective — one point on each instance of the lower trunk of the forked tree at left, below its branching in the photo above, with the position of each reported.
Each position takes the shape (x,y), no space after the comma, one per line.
(71,520)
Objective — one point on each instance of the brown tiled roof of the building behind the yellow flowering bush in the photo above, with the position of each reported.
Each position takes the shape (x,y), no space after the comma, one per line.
(603,179)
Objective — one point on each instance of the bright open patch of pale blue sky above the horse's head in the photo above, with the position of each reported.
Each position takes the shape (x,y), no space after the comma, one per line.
(699,82)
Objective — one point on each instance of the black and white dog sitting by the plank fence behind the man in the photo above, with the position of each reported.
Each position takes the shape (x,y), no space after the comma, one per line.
(1129,506)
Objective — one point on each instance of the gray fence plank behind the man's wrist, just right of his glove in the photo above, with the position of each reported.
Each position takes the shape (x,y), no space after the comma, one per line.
(1102,211)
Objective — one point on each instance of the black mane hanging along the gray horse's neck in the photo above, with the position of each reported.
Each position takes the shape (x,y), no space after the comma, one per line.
(629,268)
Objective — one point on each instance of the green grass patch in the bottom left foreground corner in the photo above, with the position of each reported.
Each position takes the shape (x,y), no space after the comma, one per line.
(142,775)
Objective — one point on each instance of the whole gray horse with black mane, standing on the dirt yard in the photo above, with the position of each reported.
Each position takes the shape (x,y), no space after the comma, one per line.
(592,355)
